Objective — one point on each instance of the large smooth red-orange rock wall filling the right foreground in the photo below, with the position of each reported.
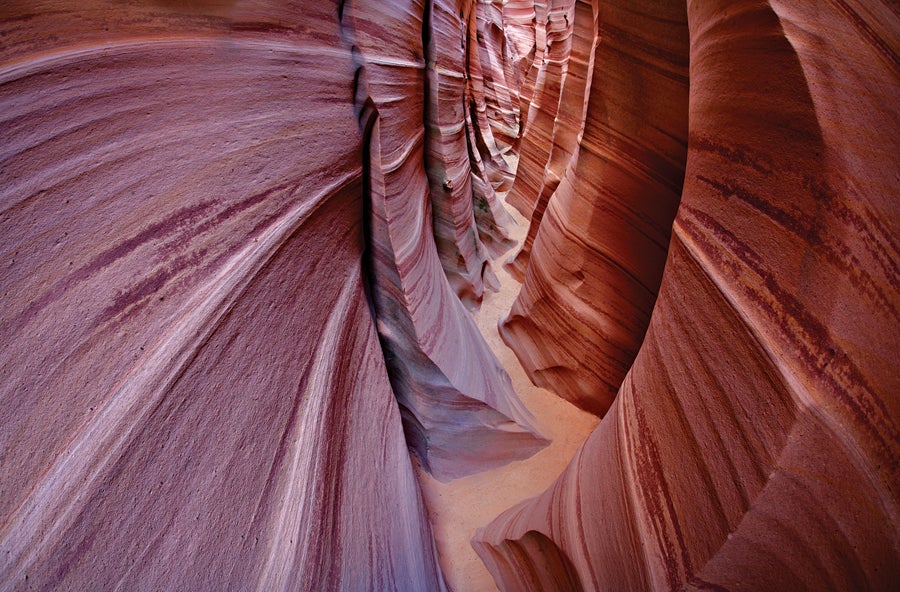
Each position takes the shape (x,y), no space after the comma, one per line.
(754,442)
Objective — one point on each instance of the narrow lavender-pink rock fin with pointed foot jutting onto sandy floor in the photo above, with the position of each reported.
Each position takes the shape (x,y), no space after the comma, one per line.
(456,399)
